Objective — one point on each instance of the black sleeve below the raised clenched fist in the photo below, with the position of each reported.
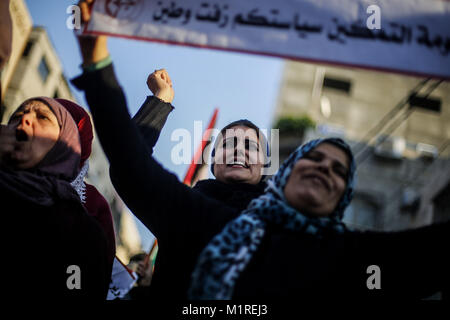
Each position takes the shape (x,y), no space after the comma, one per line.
(151,118)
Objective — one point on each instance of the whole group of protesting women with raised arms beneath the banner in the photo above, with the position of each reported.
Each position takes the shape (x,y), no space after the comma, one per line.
(239,235)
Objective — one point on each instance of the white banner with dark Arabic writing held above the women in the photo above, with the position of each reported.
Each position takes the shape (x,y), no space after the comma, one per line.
(406,36)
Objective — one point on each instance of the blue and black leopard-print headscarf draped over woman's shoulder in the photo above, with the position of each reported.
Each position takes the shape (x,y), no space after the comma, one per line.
(226,256)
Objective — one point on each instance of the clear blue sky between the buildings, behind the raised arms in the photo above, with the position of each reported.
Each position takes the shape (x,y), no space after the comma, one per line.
(240,85)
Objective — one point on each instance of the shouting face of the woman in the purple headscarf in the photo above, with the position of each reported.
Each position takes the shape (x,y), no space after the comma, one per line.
(37,131)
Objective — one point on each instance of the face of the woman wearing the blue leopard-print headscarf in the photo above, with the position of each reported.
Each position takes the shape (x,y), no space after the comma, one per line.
(318,180)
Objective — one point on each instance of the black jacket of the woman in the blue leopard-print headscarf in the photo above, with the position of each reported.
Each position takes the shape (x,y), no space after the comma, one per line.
(287,264)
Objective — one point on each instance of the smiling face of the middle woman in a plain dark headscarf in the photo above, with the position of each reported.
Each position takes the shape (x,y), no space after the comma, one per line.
(239,156)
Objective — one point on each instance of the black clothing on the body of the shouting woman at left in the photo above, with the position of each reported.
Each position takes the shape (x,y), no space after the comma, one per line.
(44,242)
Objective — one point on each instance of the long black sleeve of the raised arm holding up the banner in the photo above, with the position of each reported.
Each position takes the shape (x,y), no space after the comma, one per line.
(165,205)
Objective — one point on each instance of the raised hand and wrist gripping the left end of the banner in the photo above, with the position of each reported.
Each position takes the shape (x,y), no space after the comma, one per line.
(93,48)
